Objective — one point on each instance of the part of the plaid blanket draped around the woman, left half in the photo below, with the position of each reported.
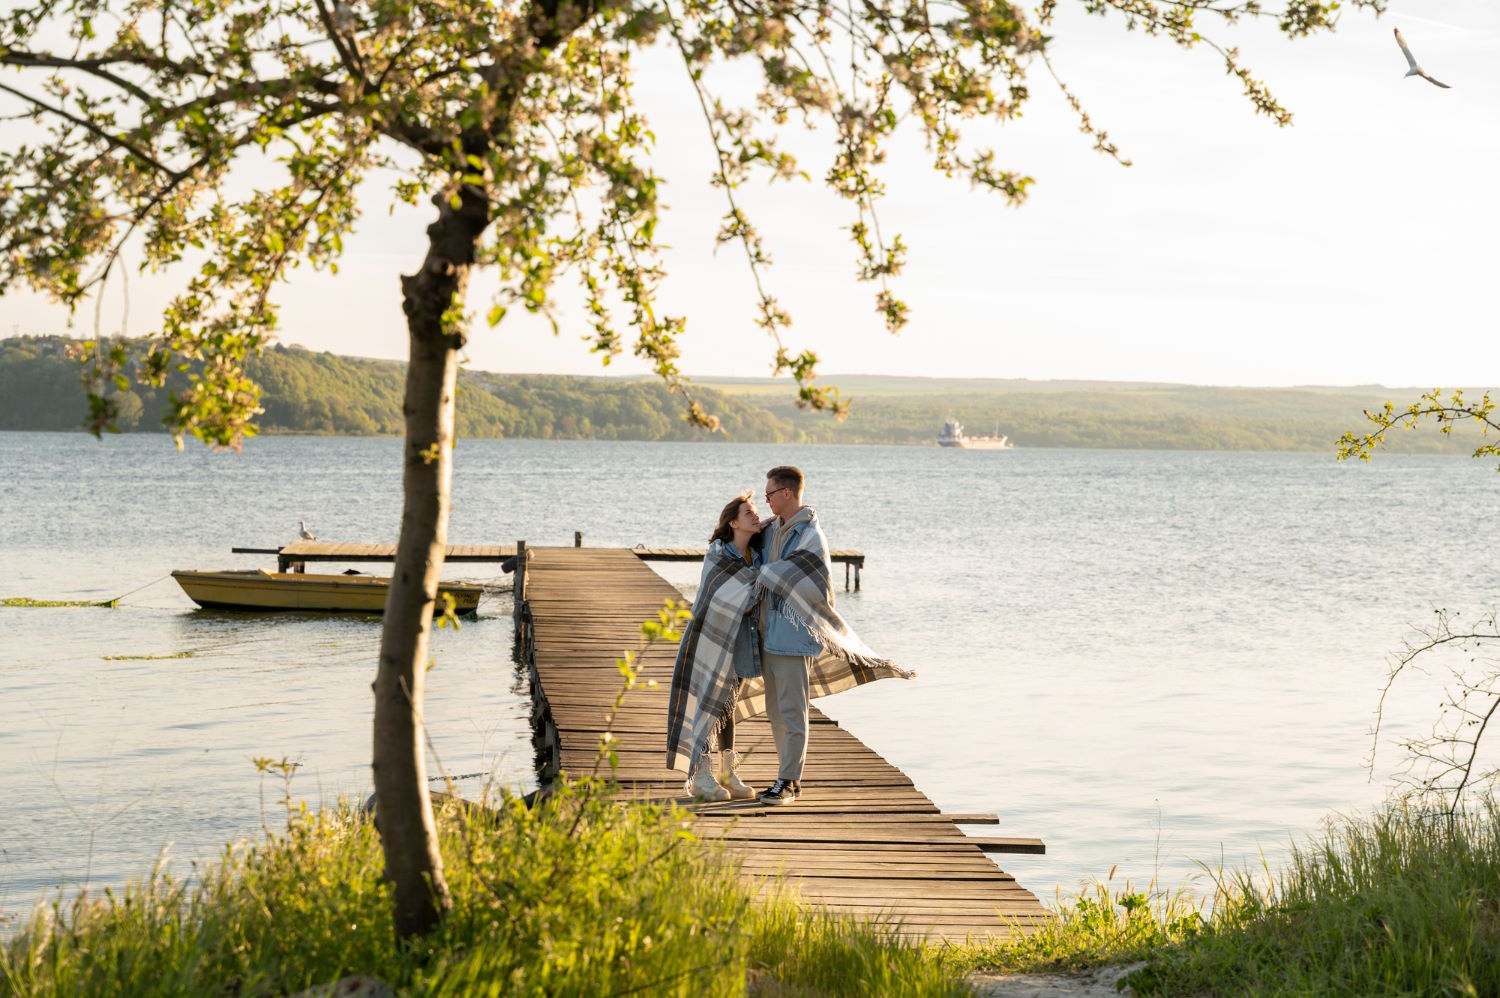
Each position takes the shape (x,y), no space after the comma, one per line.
(704,682)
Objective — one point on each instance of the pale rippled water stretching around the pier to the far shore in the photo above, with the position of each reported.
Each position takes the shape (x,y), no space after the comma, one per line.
(1147,660)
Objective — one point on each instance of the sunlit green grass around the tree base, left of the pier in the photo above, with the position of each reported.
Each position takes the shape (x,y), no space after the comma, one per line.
(577,898)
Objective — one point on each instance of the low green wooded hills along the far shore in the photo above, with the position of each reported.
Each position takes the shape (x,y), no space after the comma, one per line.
(307,392)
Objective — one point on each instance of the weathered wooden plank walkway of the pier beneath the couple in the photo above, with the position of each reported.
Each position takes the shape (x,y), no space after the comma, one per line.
(862,840)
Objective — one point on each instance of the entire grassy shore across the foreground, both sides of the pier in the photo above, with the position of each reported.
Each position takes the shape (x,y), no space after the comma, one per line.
(586,898)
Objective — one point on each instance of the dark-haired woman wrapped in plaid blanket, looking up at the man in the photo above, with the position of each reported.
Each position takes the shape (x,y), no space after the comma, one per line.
(721,649)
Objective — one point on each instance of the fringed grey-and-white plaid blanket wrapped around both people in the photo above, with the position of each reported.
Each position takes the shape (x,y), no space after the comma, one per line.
(704,685)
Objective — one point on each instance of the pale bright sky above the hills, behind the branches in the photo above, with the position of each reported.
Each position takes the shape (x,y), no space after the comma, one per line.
(1357,247)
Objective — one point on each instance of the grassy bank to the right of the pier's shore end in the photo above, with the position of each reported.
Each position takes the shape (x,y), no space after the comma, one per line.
(1396,904)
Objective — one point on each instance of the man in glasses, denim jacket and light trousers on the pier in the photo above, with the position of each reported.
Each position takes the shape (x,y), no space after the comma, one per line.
(788,648)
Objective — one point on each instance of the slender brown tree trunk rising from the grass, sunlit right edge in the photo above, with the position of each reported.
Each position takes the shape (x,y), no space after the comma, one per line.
(404,811)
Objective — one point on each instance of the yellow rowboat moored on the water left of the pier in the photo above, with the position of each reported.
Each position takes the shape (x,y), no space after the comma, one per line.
(293,591)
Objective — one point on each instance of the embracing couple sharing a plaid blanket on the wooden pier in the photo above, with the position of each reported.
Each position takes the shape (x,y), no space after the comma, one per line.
(764,637)
